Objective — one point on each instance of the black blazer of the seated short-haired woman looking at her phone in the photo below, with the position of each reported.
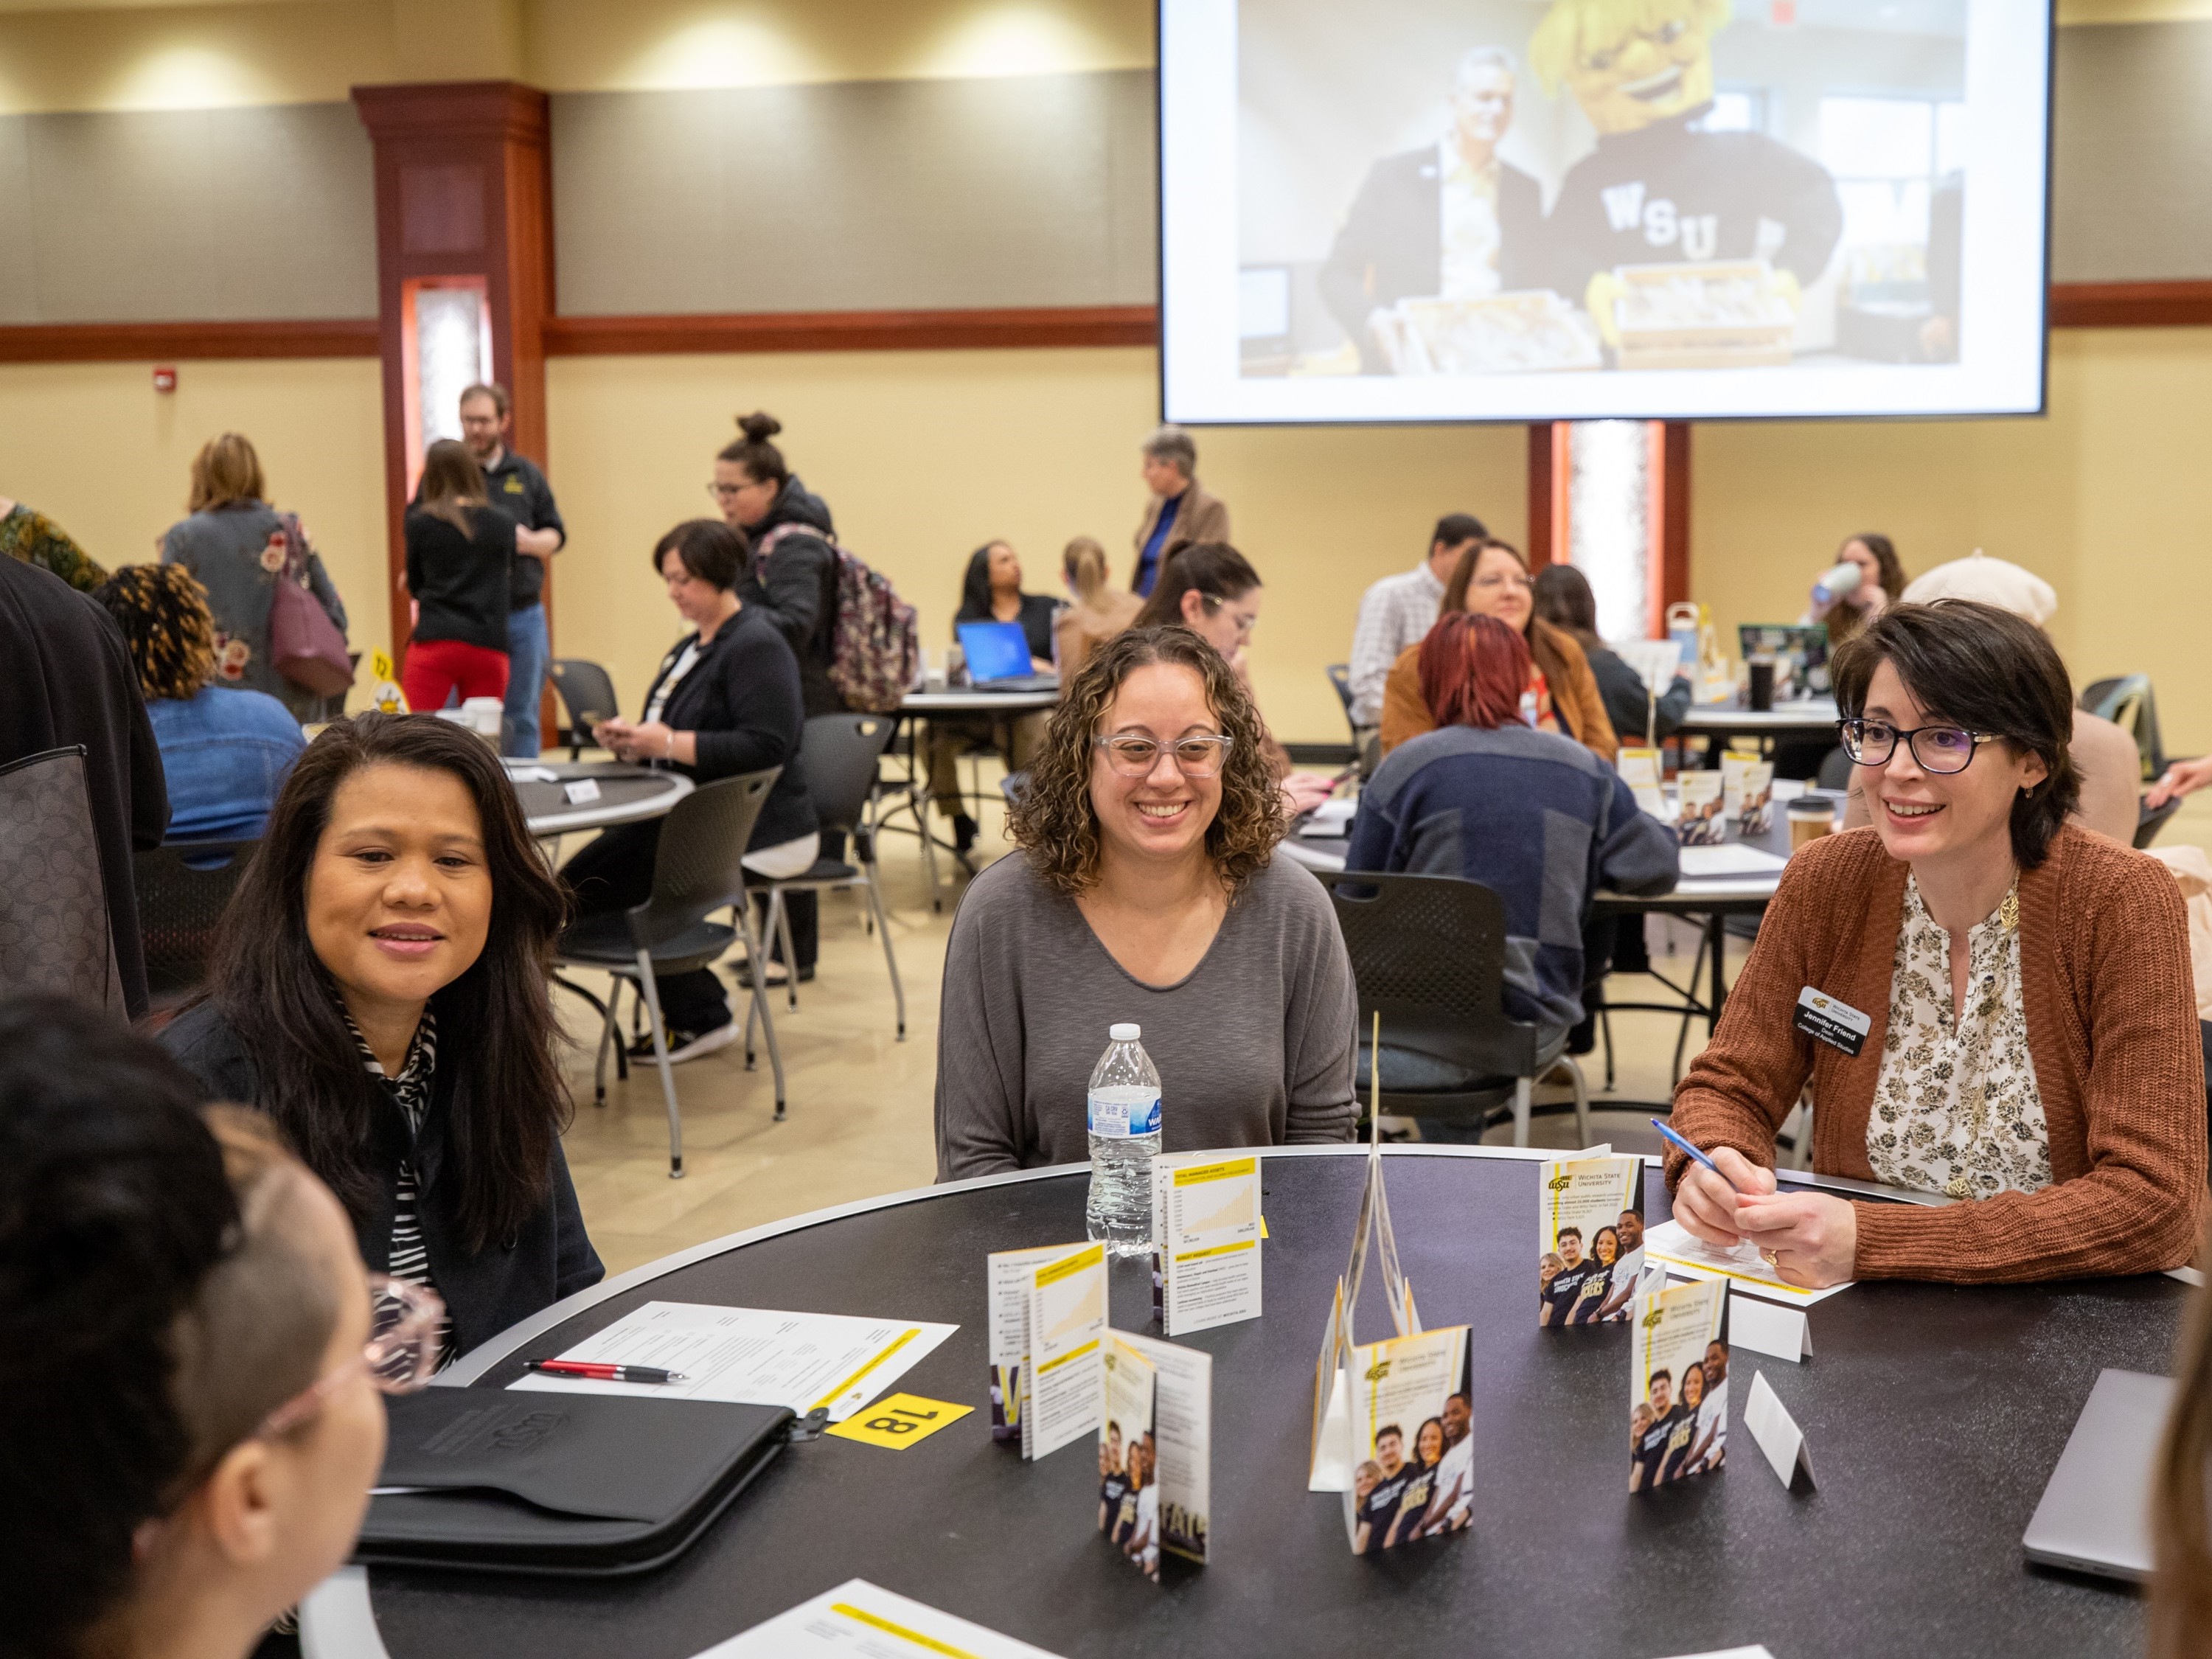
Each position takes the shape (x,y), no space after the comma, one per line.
(742,700)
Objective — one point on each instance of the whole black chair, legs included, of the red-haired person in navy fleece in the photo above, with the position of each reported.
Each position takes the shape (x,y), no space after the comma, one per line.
(1430,954)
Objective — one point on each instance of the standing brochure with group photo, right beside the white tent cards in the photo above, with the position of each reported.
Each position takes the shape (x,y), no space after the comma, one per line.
(1678,1384)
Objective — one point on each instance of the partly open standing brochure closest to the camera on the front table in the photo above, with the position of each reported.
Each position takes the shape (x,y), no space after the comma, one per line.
(1156,1450)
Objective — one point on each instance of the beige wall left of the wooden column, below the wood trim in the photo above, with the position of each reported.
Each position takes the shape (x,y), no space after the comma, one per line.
(96,448)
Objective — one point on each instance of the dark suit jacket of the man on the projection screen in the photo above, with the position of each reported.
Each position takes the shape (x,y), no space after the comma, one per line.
(1392,242)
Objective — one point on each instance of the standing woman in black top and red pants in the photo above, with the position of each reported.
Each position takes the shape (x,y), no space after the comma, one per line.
(459,561)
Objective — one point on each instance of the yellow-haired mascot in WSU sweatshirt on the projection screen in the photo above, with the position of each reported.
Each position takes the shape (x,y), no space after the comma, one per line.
(1658,191)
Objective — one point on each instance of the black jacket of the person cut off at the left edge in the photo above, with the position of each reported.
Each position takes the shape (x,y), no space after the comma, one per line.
(67,678)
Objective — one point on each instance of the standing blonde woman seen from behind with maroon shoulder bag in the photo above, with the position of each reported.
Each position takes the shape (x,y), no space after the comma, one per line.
(240,550)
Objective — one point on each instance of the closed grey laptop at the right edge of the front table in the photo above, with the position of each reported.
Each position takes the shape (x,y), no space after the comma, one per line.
(2096,1512)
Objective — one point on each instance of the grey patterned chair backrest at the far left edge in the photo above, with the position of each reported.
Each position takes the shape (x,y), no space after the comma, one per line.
(54,901)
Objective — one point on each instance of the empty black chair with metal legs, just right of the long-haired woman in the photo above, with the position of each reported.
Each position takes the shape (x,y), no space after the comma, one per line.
(696,873)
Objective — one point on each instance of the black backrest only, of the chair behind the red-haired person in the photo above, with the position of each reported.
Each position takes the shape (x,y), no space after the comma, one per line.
(1430,957)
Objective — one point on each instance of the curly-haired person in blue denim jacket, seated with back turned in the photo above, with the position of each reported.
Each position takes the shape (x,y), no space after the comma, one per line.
(225,749)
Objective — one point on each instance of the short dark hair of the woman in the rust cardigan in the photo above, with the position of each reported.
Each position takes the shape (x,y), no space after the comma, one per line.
(1990,671)
